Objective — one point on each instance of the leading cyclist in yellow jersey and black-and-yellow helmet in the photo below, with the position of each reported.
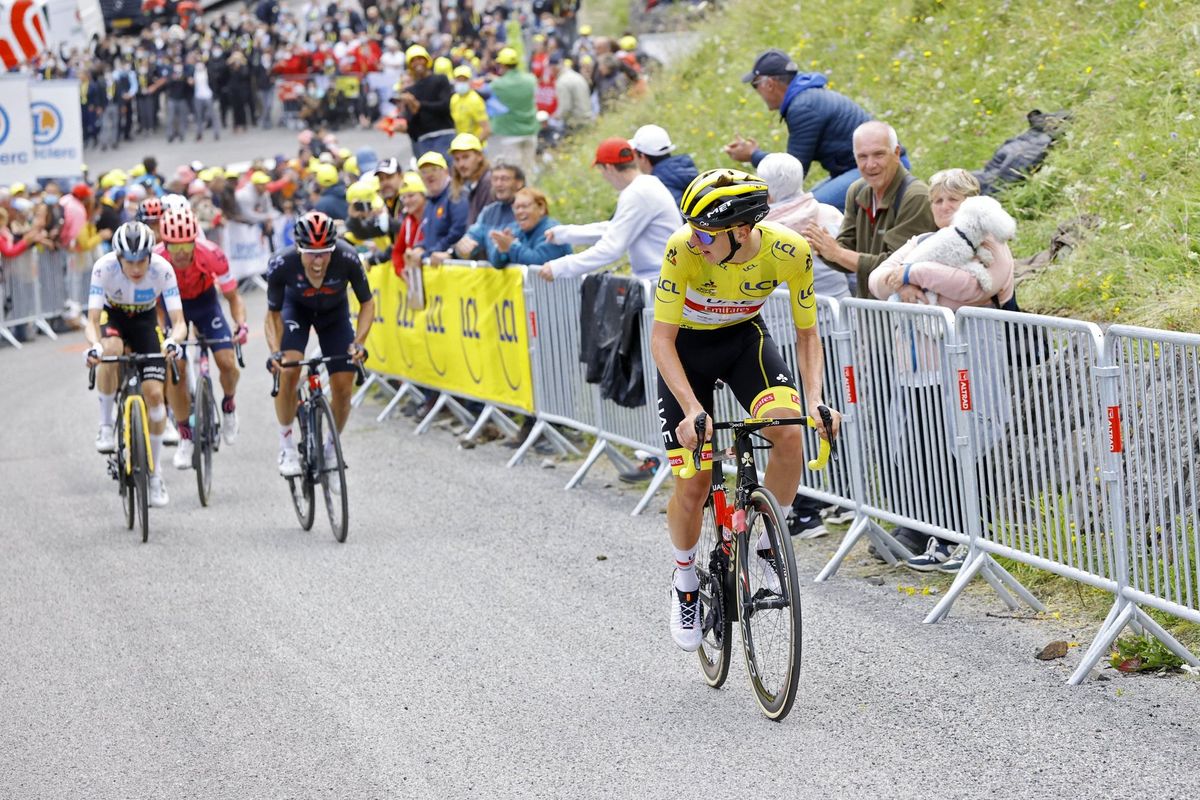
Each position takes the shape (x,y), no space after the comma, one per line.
(718,272)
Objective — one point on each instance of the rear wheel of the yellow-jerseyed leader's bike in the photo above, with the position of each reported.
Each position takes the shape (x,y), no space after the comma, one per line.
(716,573)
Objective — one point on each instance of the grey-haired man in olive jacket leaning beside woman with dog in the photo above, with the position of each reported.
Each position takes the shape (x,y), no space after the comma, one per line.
(885,208)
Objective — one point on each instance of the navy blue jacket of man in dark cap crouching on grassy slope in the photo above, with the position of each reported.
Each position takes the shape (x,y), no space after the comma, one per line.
(820,125)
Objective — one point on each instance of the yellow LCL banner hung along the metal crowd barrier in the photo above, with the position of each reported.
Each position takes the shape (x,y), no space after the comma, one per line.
(470,340)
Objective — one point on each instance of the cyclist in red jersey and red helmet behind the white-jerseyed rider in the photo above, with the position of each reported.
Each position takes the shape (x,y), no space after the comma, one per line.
(202,270)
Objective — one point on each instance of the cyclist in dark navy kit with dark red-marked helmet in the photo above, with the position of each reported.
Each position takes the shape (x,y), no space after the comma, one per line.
(307,291)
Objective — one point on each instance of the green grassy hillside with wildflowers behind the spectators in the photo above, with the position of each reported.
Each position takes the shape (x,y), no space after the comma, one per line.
(957,80)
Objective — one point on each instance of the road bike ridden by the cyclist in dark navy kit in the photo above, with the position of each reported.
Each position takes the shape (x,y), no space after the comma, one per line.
(317,429)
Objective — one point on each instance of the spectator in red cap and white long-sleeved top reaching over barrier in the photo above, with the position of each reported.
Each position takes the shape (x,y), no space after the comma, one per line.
(645,219)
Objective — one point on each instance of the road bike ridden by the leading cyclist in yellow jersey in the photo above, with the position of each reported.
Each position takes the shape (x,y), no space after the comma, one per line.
(747,568)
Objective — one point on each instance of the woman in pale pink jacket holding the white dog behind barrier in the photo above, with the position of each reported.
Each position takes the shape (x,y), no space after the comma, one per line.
(951,286)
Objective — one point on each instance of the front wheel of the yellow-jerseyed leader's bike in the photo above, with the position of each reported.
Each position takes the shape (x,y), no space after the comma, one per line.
(770,606)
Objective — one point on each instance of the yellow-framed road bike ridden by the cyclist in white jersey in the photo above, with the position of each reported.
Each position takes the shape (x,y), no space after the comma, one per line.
(133,464)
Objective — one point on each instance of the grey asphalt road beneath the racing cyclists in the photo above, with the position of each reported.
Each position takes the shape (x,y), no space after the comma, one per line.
(467,641)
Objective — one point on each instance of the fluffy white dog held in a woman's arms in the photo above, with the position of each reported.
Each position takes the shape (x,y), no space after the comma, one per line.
(959,244)
